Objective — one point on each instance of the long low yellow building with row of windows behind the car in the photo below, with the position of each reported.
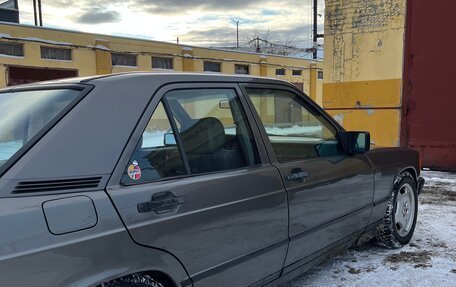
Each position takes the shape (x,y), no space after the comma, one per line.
(29,53)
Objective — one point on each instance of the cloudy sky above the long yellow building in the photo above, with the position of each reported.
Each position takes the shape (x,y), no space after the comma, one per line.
(195,22)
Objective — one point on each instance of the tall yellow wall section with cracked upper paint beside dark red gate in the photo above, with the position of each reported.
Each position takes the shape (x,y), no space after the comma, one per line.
(364,46)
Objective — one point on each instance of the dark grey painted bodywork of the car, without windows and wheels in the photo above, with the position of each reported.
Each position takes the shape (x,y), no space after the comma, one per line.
(234,228)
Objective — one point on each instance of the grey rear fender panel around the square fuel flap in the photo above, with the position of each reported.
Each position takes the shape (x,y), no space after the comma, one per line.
(30,255)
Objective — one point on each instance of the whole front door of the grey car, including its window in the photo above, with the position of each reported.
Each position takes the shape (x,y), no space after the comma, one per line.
(329,192)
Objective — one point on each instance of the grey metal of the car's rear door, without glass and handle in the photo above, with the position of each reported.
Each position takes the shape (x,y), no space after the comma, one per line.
(230,220)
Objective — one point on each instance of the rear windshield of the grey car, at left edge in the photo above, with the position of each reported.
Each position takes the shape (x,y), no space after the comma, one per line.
(25,113)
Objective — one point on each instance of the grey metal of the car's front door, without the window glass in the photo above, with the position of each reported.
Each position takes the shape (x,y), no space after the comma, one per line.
(333,201)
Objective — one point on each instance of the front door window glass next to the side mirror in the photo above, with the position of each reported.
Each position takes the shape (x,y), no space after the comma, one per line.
(295,130)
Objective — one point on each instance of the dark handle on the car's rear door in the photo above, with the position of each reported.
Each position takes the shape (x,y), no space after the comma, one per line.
(162,202)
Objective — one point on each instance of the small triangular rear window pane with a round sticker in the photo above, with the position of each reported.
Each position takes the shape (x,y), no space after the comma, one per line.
(156,155)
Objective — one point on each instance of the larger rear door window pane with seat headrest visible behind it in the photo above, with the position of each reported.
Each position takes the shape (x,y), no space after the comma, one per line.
(213,129)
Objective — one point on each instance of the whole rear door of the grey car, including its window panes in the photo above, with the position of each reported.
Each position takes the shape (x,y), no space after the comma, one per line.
(193,181)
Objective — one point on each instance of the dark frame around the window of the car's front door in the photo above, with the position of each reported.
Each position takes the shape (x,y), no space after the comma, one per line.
(308,104)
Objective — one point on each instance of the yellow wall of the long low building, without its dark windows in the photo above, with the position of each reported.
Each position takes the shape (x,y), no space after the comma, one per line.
(92,56)
